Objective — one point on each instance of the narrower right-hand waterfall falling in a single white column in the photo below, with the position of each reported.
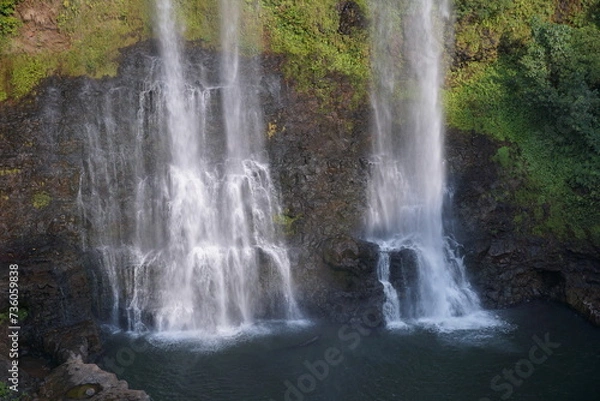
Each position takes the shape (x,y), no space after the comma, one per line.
(407,186)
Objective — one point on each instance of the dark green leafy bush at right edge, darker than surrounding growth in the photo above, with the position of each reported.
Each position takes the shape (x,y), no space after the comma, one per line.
(561,72)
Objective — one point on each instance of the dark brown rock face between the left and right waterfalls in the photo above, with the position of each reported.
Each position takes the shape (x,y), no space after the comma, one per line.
(320,162)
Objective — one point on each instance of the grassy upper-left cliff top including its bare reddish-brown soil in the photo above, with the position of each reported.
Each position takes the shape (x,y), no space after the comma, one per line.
(67,37)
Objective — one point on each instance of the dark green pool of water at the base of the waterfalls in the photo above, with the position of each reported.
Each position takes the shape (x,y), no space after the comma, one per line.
(543,352)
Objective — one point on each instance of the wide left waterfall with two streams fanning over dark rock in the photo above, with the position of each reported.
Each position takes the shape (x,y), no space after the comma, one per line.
(194,247)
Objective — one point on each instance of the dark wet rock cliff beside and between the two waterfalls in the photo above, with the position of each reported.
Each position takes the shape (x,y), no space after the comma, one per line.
(319,154)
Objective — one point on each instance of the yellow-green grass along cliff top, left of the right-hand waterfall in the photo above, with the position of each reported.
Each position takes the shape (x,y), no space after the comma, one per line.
(305,32)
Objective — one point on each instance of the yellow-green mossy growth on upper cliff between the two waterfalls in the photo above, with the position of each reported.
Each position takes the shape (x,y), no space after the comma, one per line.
(307,33)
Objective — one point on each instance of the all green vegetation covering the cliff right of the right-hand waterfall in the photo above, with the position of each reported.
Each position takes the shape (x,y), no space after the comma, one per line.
(537,88)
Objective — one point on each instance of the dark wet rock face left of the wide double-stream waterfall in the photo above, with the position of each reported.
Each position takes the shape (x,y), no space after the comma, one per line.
(40,226)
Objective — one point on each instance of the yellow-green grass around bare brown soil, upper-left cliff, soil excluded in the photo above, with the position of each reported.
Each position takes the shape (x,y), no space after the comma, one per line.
(96,30)
